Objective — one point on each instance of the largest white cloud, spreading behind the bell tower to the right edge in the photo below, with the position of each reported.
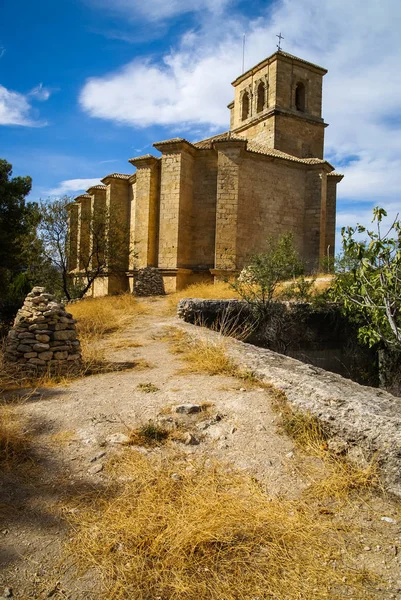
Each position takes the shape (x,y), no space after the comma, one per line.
(357,41)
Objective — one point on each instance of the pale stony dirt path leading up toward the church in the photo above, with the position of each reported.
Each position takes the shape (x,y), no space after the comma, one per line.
(74,432)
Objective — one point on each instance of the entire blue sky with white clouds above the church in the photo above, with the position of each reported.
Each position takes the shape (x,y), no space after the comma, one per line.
(84,87)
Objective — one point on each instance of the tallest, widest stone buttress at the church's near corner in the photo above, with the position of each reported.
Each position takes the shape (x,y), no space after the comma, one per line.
(175,243)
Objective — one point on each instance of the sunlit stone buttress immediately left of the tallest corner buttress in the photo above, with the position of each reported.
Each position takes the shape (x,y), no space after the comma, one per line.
(146,210)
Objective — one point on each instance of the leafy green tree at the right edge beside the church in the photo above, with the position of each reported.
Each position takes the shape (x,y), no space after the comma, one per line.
(370,286)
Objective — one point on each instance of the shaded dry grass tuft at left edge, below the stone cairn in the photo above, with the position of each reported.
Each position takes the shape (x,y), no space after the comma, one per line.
(15,441)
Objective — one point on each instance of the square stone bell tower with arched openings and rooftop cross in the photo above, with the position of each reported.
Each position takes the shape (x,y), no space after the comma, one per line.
(278,104)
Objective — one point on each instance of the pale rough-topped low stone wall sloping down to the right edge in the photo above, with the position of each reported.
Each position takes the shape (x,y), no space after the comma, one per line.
(364,422)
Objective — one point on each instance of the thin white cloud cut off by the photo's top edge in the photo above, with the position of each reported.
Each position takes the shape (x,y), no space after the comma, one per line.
(159,10)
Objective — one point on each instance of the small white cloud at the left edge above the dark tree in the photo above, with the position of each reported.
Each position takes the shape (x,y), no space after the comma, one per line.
(16,108)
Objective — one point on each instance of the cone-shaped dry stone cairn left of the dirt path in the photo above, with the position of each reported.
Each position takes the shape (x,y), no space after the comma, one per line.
(43,337)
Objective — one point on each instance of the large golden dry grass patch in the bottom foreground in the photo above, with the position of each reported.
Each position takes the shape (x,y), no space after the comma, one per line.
(207,532)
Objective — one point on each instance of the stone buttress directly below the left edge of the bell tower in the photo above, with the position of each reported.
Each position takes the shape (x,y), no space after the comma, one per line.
(228,188)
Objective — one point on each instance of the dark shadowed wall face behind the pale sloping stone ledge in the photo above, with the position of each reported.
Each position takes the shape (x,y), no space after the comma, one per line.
(321,336)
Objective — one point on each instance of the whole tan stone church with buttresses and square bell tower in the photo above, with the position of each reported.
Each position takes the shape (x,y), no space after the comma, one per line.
(200,210)
